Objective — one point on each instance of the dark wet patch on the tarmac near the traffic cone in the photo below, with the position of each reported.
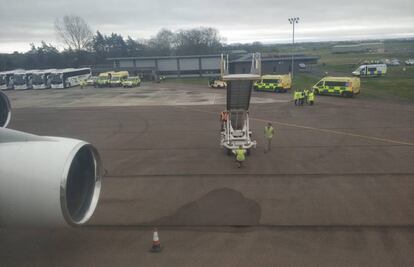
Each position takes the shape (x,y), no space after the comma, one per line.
(218,207)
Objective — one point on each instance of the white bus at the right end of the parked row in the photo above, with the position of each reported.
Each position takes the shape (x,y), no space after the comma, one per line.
(69,77)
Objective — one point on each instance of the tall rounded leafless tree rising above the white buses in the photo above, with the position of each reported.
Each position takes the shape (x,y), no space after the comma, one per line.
(74,32)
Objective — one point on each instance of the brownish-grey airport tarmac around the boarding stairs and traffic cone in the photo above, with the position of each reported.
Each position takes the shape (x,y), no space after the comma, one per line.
(337,188)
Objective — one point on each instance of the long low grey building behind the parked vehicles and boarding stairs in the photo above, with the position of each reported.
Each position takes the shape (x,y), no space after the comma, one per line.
(205,65)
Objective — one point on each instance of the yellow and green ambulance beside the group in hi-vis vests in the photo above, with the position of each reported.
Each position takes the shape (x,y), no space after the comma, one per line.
(340,86)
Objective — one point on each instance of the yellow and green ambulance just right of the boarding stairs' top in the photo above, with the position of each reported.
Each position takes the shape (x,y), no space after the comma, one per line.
(274,83)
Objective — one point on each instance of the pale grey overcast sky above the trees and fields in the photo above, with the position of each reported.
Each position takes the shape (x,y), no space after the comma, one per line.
(31,21)
